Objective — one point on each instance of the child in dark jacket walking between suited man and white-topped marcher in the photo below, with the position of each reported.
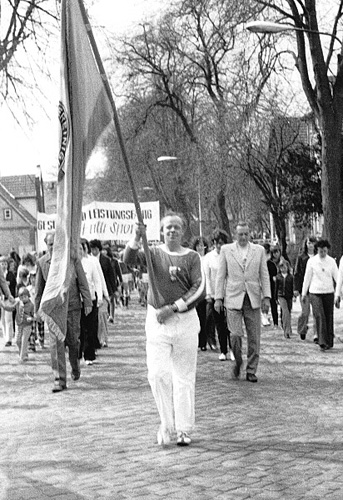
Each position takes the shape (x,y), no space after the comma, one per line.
(284,293)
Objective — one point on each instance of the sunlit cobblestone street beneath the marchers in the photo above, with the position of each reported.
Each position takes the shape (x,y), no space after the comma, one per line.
(278,439)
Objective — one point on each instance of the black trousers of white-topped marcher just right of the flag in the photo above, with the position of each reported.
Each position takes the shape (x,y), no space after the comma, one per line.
(89,333)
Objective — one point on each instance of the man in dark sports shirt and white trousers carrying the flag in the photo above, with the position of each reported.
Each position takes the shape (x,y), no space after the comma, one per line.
(172,327)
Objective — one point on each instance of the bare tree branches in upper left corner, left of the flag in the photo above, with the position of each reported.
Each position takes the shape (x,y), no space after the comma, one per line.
(26,28)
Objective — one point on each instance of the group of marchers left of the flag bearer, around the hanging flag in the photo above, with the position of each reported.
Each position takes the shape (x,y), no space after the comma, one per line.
(96,288)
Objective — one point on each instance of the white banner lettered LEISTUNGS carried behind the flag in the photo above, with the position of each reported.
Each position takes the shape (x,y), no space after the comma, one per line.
(107,221)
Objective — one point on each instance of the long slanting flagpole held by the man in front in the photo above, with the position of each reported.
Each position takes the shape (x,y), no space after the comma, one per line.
(103,75)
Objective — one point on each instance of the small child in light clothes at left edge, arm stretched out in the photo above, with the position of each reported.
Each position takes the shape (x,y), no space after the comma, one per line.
(24,318)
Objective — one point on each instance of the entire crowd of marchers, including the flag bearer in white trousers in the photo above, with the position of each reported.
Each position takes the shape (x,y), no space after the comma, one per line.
(197,295)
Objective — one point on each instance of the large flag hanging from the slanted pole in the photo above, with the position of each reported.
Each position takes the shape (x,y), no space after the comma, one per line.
(84,112)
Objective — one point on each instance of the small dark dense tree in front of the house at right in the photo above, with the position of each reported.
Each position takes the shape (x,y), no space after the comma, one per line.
(288,173)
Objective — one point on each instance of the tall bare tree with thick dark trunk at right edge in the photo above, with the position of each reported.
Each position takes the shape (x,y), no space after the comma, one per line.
(324,93)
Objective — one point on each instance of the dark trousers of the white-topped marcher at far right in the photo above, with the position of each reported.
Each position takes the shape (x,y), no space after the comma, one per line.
(322,307)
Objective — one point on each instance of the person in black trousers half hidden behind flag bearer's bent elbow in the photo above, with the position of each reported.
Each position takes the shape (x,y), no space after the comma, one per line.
(207,331)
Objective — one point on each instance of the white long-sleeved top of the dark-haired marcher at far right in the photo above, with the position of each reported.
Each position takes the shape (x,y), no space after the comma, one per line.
(320,275)
